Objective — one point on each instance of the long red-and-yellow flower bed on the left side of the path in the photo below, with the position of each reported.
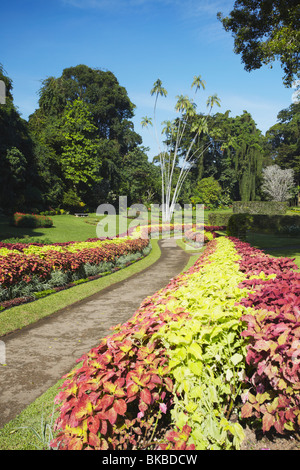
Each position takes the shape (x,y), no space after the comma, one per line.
(28,270)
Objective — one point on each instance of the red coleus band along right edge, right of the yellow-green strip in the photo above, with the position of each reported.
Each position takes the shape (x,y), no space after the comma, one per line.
(273,353)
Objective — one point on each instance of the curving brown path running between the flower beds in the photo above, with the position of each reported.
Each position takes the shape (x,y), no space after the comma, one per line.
(40,354)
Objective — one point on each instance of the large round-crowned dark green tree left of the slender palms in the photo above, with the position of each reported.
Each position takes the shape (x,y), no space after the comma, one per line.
(110,112)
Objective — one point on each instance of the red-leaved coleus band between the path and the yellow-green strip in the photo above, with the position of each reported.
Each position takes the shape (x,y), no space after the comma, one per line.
(121,387)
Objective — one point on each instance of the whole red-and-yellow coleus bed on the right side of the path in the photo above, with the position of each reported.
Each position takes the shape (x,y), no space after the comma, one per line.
(170,377)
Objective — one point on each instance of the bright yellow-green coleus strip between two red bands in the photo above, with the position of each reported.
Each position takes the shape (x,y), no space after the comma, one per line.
(207,352)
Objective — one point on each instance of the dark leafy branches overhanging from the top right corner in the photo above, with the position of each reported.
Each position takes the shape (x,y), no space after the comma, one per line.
(265,31)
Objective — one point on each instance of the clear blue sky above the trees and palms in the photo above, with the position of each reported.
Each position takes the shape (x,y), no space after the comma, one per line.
(139,41)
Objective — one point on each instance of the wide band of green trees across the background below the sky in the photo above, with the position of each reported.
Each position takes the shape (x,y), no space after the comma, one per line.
(79,149)
